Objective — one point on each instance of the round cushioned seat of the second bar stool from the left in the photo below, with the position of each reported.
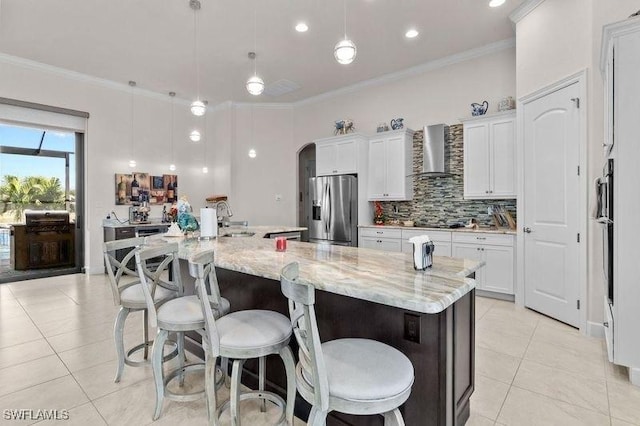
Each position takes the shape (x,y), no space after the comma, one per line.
(176,314)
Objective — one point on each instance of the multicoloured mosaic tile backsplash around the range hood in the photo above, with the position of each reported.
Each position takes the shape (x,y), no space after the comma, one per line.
(439,200)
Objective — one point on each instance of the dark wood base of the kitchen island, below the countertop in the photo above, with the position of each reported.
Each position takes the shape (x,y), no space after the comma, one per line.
(443,358)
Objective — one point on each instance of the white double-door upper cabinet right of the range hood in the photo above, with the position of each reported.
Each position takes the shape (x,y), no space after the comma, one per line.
(489,156)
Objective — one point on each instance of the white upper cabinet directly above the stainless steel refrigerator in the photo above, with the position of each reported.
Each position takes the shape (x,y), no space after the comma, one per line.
(339,155)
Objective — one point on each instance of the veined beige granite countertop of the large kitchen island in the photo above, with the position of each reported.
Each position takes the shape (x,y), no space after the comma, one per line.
(380,277)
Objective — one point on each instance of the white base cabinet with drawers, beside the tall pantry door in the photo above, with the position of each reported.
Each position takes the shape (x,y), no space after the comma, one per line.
(497,250)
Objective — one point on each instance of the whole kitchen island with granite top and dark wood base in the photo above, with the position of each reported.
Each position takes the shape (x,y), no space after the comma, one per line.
(428,315)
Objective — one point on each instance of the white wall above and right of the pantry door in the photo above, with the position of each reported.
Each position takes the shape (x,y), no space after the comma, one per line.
(557,39)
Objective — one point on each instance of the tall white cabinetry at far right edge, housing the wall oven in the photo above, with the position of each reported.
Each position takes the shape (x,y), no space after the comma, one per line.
(620,65)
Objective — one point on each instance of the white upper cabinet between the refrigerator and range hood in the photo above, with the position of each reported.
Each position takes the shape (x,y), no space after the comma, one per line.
(391,166)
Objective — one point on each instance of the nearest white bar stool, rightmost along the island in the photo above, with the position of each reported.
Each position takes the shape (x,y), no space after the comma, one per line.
(351,376)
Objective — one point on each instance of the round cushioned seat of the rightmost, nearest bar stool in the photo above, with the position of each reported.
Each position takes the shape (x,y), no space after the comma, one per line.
(363,369)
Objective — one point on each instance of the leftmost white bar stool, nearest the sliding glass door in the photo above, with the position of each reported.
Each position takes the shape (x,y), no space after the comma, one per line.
(127,292)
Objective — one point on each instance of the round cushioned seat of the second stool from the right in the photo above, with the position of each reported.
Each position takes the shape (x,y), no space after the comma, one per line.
(252,330)
